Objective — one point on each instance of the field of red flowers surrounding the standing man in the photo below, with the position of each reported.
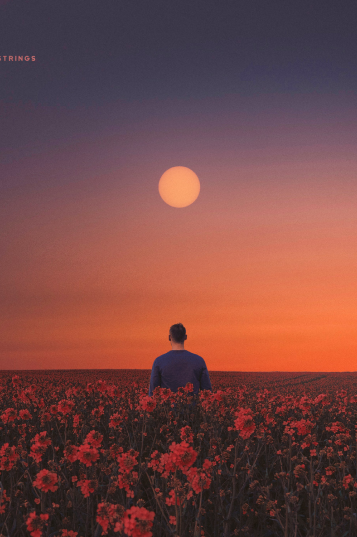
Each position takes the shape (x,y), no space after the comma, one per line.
(89,453)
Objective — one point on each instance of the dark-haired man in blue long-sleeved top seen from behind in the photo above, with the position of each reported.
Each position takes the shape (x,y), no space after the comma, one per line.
(177,367)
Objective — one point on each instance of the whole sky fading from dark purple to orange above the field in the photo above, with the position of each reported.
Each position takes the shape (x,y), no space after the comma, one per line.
(258,98)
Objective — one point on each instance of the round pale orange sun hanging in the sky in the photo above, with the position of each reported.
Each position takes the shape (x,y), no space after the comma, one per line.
(179,186)
